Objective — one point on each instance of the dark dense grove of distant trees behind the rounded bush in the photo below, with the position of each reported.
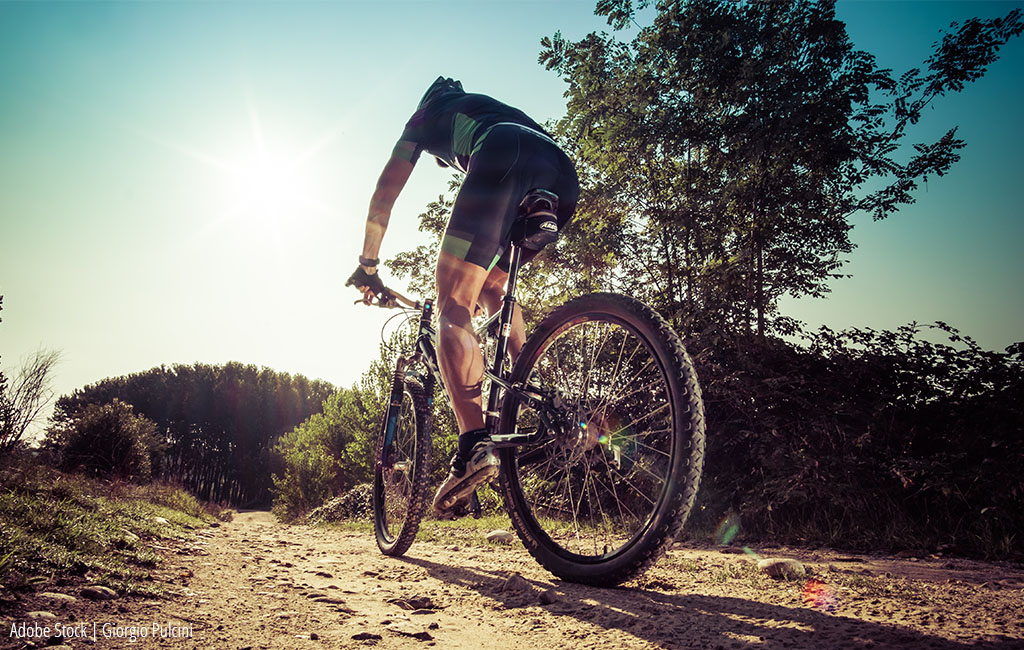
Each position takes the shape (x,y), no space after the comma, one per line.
(219,422)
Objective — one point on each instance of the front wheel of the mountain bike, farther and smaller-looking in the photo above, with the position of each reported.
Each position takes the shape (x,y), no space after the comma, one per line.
(402,471)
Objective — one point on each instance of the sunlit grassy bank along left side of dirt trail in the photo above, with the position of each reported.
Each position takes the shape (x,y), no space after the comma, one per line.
(60,527)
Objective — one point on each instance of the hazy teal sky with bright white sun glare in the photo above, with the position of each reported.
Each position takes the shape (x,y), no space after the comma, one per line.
(188,182)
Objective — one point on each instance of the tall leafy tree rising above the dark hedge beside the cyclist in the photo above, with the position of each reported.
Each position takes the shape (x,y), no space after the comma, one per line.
(726,149)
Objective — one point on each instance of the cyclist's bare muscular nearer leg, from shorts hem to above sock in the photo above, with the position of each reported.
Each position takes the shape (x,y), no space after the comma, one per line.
(459,286)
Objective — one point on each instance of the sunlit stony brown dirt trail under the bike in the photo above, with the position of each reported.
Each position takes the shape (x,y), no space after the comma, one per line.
(257,584)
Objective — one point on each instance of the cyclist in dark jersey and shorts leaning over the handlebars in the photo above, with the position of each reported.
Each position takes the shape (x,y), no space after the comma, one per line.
(504,155)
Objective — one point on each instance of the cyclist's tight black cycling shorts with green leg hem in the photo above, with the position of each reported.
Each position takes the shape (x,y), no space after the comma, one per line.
(509,162)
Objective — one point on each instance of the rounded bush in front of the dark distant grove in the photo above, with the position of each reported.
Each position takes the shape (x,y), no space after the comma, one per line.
(108,441)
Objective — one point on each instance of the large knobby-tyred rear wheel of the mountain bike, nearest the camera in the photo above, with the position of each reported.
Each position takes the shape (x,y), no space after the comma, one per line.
(622,431)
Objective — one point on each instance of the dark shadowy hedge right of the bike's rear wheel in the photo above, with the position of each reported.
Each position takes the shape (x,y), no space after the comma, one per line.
(869,440)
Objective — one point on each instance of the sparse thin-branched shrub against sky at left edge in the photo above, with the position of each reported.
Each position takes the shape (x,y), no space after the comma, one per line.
(24,401)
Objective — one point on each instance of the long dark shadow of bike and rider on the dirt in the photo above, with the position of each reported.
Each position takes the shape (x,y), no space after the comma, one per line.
(689,621)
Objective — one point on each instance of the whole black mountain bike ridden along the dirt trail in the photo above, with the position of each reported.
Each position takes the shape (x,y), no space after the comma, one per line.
(600,425)
